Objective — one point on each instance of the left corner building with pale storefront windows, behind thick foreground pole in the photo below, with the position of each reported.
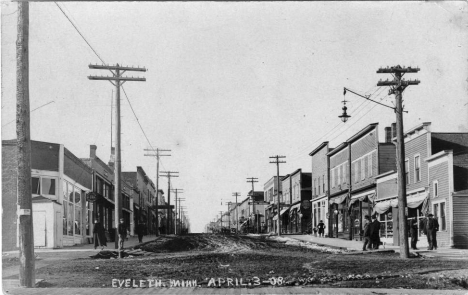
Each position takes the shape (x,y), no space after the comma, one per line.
(60,182)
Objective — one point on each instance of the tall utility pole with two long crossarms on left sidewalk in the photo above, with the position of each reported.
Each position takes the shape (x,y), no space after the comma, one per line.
(117,80)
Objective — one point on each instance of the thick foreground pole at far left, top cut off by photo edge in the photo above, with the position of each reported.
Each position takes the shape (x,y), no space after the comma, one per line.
(23,149)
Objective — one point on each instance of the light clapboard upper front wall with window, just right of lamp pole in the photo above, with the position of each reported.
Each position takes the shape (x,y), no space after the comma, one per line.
(419,146)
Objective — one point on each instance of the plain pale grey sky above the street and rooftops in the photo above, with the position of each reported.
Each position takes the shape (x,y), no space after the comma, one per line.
(230,84)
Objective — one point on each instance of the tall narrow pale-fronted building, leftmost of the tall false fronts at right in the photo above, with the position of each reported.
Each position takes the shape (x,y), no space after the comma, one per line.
(320,191)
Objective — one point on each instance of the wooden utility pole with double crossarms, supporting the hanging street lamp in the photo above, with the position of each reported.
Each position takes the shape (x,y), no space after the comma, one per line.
(397,86)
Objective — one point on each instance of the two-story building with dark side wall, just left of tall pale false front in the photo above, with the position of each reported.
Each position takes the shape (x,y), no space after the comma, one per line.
(300,212)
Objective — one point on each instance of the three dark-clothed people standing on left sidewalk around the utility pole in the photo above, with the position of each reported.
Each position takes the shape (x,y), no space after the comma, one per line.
(100,239)
